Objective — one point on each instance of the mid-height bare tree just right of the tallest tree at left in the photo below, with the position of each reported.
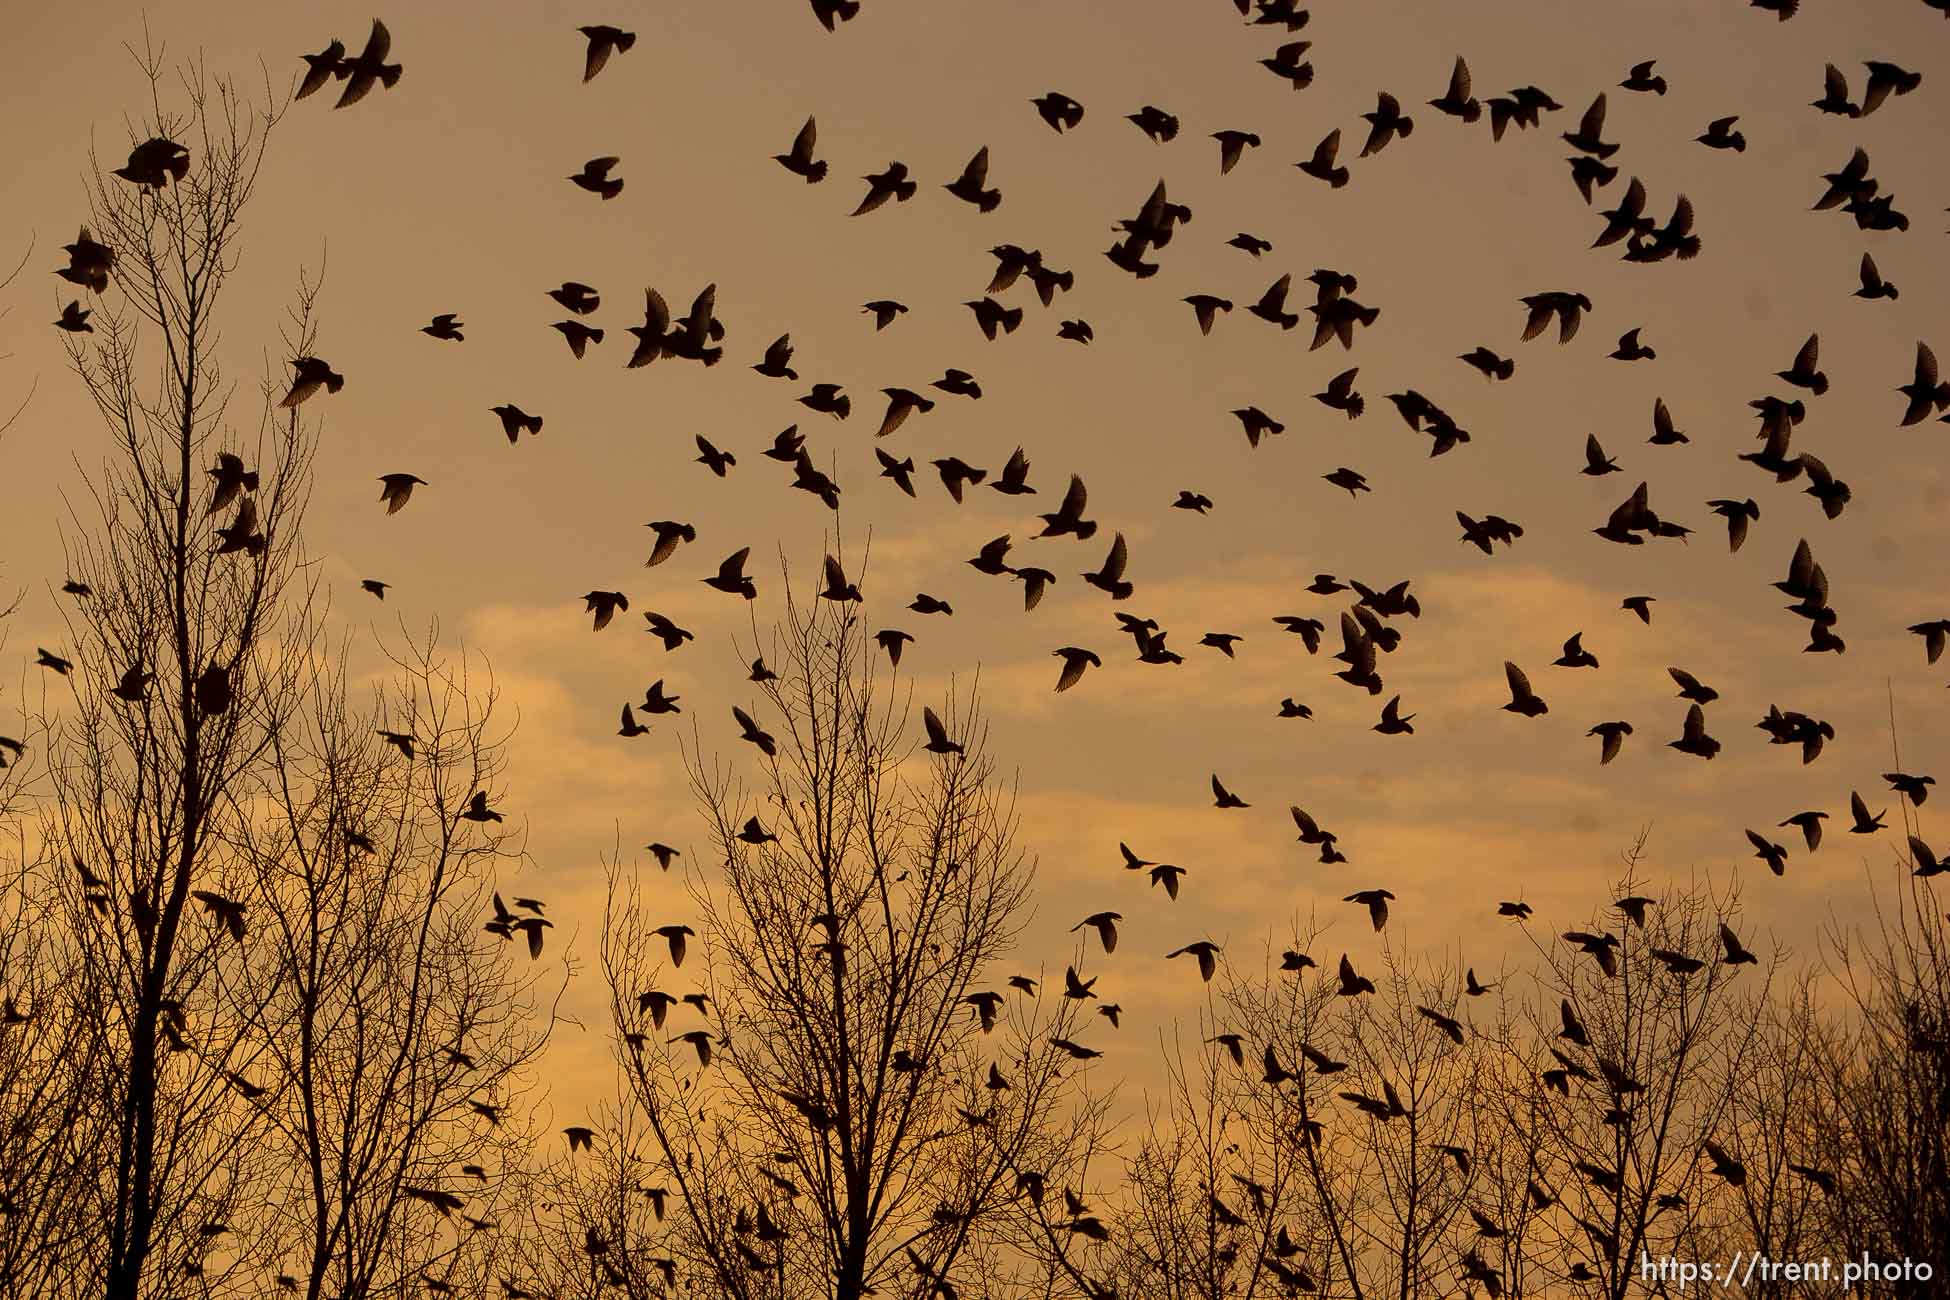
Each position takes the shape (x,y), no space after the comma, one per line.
(395,1055)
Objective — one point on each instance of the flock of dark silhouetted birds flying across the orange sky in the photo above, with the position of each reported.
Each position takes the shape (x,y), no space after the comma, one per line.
(1378,617)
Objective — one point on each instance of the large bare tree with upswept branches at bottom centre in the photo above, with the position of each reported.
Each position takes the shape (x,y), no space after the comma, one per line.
(836,1116)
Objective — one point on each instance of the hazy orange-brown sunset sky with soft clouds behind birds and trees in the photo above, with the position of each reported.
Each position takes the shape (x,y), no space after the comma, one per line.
(449,194)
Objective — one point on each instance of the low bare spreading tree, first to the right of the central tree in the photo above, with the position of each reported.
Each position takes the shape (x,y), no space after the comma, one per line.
(1309,1149)
